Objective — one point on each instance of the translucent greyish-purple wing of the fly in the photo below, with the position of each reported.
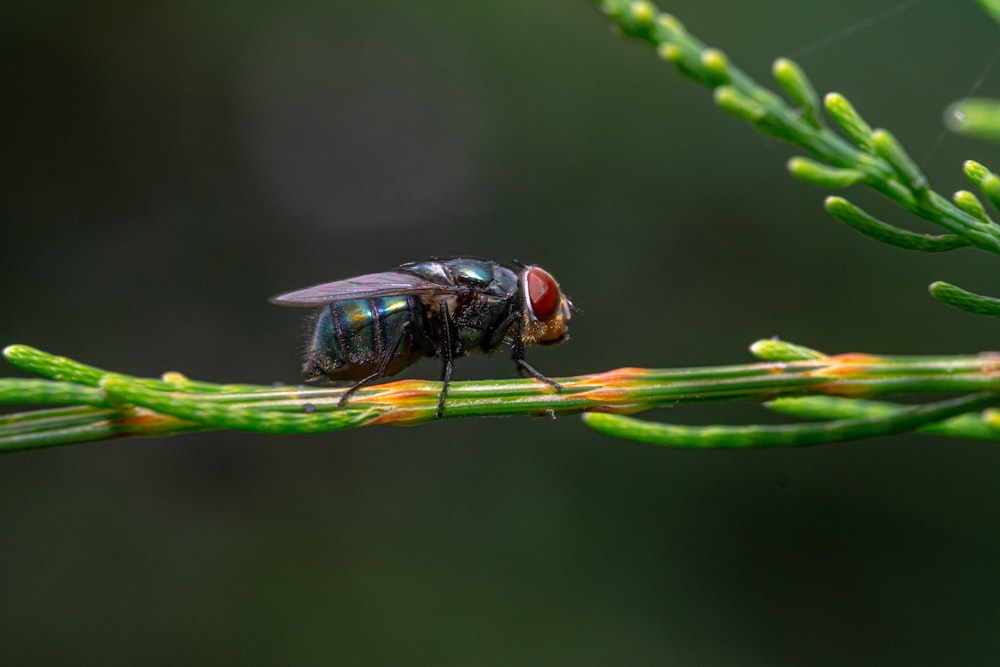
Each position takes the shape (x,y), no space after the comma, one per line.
(389,283)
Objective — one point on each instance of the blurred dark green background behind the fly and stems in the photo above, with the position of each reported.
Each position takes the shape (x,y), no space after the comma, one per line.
(165,167)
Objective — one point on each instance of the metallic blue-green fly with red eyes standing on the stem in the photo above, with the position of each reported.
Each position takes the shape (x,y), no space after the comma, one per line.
(376,325)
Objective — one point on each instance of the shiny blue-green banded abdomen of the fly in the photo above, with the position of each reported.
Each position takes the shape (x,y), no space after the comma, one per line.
(350,338)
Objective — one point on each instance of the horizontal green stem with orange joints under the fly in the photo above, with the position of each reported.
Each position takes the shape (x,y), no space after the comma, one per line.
(103,405)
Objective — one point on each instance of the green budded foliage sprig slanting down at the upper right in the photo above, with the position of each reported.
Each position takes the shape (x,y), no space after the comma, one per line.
(869,157)
